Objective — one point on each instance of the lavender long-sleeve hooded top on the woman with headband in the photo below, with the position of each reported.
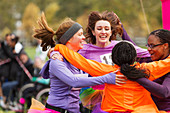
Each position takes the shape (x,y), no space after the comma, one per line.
(62,80)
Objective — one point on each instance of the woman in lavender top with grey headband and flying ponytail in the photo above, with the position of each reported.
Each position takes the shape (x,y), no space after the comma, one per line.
(63,96)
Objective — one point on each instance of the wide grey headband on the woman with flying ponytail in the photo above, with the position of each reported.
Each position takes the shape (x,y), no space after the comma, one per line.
(69,33)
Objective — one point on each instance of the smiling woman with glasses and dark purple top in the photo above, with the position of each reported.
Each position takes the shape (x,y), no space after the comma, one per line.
(159,48)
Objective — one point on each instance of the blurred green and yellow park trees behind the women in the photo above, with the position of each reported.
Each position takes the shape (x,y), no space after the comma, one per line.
(139,17)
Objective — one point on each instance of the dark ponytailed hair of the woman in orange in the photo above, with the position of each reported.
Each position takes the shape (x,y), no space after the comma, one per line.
(124,55)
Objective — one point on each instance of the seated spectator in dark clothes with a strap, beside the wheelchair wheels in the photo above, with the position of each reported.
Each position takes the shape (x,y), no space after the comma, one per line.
(17,76)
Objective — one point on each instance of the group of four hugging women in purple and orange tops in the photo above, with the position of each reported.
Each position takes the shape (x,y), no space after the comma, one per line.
(123,78)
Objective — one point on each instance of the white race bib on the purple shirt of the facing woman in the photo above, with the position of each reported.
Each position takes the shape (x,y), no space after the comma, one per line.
(106,58)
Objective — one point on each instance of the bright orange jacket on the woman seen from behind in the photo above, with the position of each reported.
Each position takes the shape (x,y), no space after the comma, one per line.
(128,97)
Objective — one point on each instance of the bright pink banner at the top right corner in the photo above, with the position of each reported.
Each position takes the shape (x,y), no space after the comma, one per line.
(166,14)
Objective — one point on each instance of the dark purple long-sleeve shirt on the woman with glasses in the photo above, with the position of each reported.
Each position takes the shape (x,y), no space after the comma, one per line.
(160,90)
